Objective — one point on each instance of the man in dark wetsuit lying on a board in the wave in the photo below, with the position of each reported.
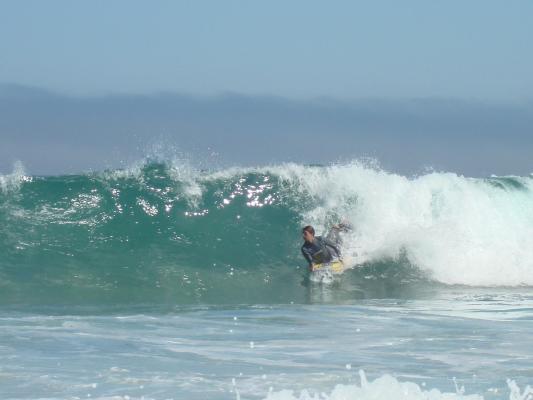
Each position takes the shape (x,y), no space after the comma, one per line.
(319,250)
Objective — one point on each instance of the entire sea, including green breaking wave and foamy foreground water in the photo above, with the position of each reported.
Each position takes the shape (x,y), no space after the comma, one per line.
(162,281)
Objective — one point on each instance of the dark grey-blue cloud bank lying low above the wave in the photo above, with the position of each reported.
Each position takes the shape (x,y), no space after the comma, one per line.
(52,133)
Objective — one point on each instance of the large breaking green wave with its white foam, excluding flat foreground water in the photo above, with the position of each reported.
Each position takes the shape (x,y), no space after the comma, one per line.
(166,233)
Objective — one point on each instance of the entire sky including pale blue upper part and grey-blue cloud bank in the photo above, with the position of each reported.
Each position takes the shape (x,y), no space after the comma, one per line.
(416,83)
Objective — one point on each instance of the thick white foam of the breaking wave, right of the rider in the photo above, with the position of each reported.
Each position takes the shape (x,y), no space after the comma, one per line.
(460,230)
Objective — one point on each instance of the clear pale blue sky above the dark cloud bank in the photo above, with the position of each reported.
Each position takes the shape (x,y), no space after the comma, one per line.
(476,49)
